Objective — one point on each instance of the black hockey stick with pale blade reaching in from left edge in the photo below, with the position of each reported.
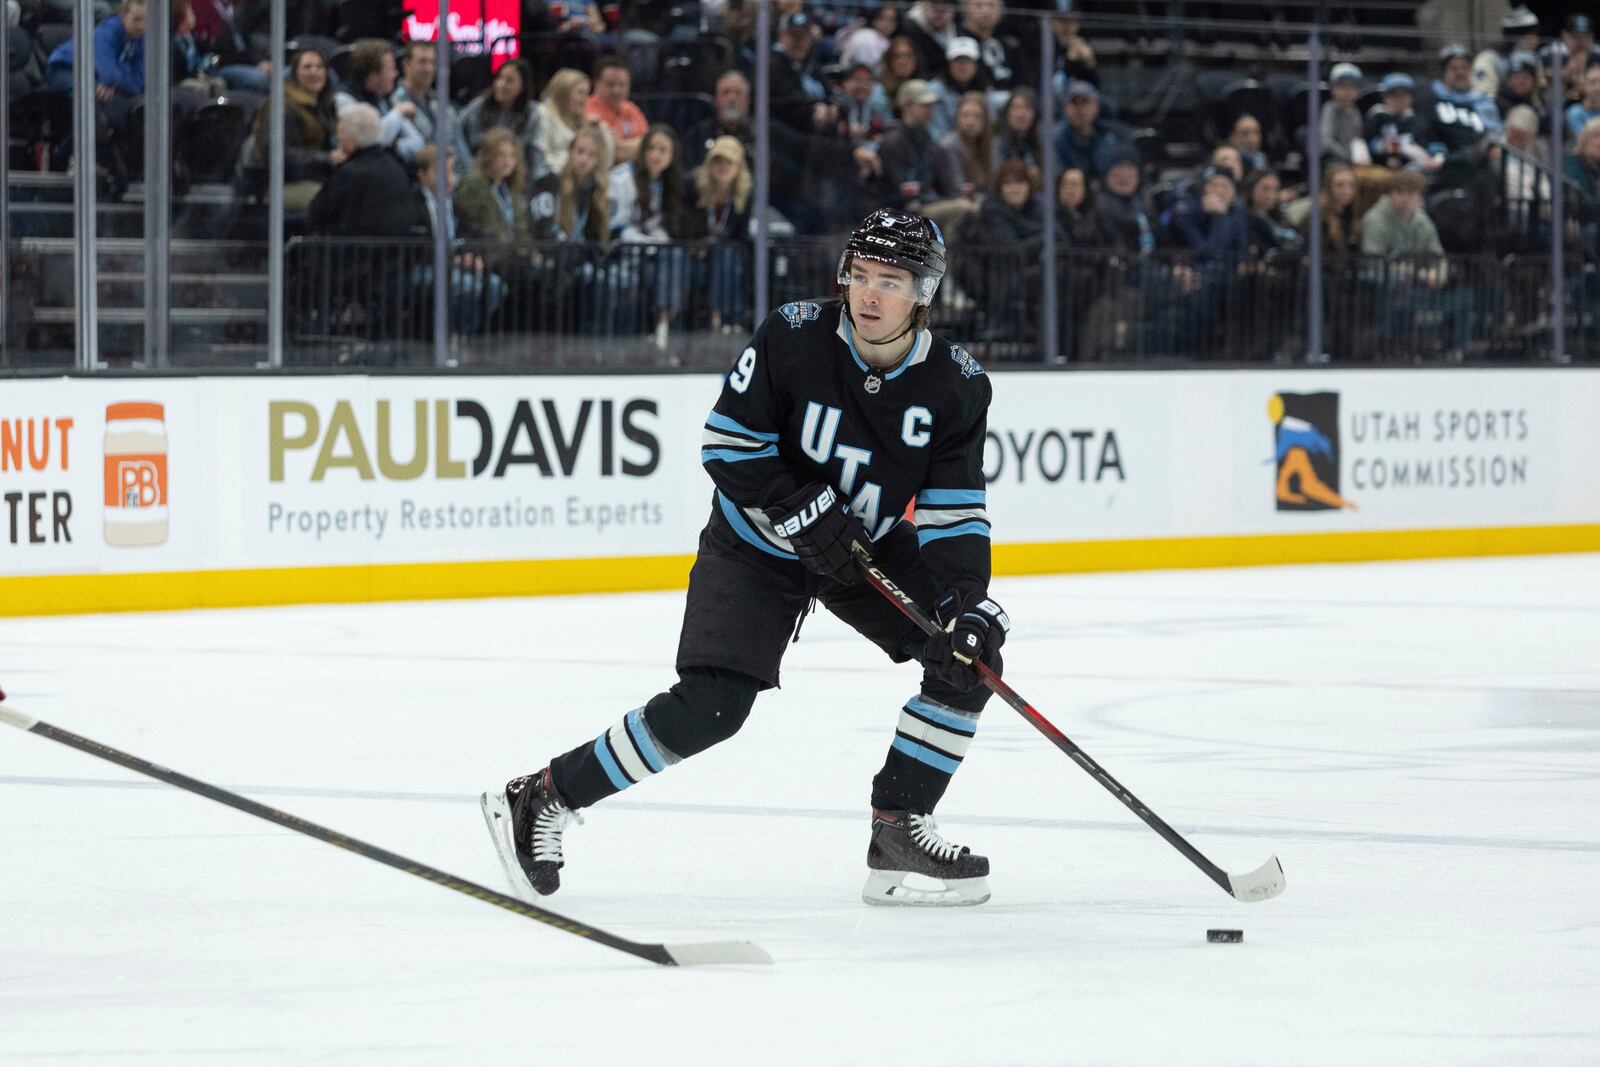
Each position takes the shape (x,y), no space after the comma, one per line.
(692,954)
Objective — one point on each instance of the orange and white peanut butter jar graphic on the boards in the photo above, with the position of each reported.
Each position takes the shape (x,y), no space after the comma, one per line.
(135,474)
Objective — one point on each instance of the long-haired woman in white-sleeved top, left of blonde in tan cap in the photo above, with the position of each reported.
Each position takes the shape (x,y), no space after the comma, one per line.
(649,209)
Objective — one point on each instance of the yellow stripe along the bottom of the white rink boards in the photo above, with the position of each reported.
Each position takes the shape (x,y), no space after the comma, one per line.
(73,594)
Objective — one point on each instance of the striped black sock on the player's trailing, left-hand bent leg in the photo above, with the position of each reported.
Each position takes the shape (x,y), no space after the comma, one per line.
(706,706)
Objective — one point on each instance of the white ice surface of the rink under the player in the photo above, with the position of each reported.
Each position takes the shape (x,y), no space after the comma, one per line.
(1420,743)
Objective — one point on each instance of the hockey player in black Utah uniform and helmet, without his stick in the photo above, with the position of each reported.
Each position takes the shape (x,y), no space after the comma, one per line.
(831,423)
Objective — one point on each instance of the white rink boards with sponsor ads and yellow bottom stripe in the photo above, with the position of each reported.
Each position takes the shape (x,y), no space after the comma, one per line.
(175,494)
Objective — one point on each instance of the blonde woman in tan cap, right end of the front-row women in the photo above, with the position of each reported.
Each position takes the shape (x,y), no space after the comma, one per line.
(721,215)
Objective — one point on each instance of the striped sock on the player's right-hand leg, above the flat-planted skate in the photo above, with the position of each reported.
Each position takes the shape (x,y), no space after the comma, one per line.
(929,746)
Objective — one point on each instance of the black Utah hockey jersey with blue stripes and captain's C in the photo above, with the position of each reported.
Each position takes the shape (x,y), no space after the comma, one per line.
(801,406)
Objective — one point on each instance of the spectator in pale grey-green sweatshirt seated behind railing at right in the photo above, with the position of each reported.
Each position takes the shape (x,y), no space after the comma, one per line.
(1399,226)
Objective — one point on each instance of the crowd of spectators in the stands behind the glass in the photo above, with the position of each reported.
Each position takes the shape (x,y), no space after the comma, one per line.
(930,110)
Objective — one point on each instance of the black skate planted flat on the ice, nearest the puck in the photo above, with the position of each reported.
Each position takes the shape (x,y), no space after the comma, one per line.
(911,866)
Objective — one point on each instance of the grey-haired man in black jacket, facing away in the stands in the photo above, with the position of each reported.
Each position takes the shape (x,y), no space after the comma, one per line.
(369,193)
